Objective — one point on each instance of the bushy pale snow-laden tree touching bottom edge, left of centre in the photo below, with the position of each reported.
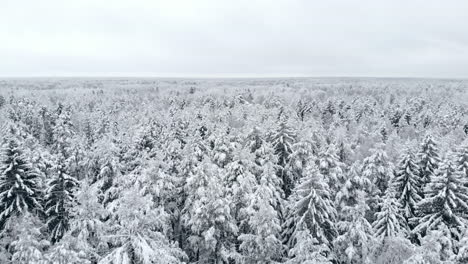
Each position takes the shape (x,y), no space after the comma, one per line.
(138,232)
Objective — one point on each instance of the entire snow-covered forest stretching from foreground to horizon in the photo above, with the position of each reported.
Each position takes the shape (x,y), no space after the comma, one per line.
(234,171)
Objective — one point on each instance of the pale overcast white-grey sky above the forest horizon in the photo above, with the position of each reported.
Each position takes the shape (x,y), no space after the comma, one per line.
(400,38)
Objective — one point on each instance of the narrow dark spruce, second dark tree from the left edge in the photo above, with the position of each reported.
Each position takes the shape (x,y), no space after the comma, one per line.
(58,200)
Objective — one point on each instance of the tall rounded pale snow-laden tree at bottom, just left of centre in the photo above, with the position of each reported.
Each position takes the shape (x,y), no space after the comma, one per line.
(207,214)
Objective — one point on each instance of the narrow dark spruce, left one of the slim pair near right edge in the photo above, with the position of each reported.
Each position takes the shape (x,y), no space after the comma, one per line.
(406,184)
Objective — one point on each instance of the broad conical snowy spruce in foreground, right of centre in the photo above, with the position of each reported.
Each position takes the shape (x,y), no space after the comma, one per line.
(313,209)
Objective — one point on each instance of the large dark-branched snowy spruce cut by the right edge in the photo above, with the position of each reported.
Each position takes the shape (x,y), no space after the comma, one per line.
(445,202)
